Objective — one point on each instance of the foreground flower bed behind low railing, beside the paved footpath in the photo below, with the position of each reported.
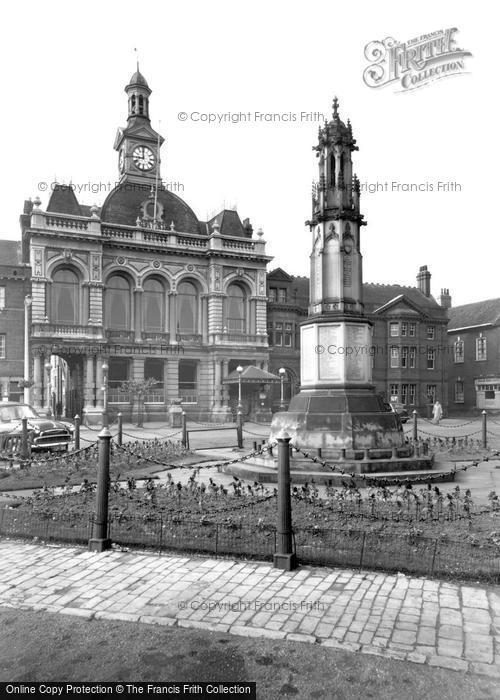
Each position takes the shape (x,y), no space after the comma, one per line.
(403,529)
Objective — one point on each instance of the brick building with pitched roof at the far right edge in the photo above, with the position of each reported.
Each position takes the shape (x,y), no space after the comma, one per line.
(474,356)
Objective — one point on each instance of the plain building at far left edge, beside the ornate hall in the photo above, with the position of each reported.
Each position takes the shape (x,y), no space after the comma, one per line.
(14,288)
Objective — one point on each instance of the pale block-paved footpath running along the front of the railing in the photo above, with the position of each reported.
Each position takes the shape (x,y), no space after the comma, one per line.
(412,619)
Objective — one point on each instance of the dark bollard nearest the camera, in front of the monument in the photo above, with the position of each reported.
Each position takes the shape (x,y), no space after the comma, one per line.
(285,557)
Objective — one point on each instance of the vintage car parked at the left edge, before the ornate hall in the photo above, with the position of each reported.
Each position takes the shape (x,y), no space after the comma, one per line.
(44,433)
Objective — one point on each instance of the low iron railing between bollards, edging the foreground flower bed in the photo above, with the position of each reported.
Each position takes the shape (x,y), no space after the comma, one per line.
(385,551)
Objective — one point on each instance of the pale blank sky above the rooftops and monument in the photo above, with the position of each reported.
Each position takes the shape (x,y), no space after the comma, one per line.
(66,64)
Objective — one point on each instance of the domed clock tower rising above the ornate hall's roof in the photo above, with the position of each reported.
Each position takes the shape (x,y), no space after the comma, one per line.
(138,144)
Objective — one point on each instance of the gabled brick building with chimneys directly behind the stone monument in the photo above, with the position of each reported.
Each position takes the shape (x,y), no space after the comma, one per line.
(409,336)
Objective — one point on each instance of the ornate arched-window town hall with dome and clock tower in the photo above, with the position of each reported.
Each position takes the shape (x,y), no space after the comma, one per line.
(143,286)
